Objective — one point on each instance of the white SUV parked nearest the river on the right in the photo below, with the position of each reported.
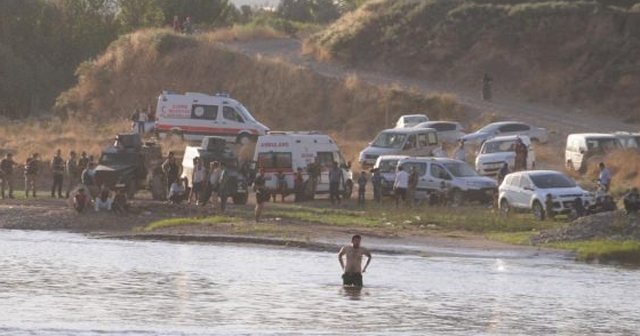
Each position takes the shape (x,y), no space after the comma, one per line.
(527,190)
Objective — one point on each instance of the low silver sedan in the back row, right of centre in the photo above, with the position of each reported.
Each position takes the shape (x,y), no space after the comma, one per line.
(506,128)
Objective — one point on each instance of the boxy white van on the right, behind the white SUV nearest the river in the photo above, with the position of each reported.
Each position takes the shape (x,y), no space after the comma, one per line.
(581,147)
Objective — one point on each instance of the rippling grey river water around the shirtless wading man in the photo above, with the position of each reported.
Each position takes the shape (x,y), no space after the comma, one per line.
(54,283)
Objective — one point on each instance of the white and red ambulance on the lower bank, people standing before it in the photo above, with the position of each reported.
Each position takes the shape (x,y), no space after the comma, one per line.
(285,152)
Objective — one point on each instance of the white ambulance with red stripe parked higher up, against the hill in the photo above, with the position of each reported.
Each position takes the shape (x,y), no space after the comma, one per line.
(195,115)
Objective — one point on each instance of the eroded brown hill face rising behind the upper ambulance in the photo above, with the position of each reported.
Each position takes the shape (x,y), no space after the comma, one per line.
(134,70)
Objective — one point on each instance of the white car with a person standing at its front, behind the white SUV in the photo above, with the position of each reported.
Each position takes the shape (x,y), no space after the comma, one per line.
(496,151)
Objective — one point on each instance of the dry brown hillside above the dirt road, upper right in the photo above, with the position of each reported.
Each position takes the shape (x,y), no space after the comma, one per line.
(572,52)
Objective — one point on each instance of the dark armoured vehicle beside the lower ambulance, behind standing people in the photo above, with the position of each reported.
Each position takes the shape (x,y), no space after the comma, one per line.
(215,149)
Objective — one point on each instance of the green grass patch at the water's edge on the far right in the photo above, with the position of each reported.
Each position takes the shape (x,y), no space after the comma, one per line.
(625,252)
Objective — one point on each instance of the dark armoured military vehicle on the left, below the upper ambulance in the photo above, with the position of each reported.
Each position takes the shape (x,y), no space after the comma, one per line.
(133,165)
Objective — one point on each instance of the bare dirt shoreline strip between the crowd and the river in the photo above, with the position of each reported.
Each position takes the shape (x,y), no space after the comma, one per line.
(55,215)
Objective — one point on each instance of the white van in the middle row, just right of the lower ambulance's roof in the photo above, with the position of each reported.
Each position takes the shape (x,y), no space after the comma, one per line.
(401,141)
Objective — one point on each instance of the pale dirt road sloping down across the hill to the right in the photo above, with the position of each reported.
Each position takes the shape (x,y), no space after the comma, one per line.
(559,120)
